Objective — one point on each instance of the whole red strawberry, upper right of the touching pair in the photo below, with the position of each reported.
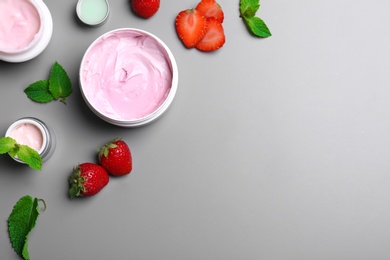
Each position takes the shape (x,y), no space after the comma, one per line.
(115,157)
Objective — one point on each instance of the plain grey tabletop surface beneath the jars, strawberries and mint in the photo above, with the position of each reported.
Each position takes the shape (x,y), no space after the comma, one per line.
(272,149)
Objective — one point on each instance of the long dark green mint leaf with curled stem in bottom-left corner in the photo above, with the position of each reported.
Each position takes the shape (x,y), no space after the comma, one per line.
(21,222)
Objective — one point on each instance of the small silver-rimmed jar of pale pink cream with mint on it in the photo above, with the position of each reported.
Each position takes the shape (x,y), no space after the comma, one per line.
(34,133)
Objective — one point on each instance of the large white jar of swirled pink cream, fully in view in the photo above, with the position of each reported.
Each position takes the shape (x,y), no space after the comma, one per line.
(128,77)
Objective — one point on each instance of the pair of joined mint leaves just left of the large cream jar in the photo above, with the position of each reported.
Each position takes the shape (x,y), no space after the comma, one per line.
(57,87)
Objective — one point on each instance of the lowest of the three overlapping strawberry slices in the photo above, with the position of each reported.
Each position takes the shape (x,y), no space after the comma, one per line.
(214,38)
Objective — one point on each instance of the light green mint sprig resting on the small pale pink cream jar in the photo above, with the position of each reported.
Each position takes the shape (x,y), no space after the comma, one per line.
(25,153)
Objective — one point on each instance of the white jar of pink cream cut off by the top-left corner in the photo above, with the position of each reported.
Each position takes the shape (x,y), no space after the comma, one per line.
(26,28)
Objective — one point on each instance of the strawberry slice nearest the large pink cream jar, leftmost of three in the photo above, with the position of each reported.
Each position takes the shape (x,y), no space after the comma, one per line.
(190,27)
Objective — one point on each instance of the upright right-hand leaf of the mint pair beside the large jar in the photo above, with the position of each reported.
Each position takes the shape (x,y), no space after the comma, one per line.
(59,83)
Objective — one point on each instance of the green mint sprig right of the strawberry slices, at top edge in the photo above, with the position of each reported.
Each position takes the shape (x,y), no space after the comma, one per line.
(255,25)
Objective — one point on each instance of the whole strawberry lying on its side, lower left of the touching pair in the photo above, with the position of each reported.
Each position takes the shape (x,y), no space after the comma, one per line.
(87,179)
